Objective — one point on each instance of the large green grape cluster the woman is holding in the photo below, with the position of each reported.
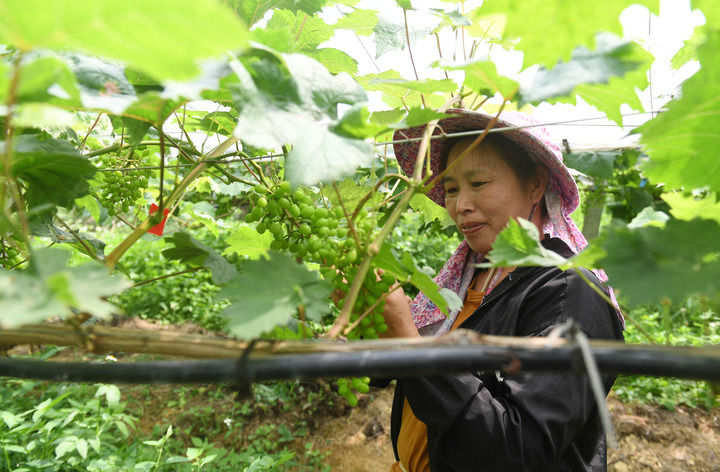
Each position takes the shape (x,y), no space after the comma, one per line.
(323,235)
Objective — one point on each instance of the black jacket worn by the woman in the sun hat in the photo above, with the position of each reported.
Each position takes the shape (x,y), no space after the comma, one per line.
(525,421)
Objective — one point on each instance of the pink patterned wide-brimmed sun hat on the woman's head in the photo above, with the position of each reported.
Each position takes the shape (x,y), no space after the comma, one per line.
(515,126)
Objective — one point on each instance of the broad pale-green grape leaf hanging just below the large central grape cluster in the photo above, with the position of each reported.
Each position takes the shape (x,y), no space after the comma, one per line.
(268,292)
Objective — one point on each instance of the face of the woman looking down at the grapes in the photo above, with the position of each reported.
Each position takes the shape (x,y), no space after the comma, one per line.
(482,193)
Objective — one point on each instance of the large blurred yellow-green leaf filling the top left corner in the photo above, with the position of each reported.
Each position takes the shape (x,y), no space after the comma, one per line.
(141,33)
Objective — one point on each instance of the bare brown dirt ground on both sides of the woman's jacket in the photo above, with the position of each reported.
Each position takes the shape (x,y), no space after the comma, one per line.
(650,438)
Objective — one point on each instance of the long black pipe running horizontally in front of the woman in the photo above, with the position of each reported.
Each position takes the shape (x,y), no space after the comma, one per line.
(661,361)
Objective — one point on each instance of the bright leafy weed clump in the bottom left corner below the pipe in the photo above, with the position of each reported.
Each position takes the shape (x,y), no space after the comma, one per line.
(70,429)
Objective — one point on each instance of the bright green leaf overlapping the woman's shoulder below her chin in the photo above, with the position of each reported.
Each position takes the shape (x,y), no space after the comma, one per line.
(518,244)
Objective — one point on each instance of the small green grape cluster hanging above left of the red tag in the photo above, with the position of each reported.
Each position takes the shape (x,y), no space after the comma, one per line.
(121,189)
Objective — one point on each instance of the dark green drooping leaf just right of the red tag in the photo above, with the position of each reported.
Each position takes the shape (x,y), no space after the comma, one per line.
(191,251)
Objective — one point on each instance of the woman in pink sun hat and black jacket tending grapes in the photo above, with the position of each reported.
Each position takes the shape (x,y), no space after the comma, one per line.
(485,421)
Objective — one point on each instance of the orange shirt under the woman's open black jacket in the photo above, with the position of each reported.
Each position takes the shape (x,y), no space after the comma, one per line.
(412,440)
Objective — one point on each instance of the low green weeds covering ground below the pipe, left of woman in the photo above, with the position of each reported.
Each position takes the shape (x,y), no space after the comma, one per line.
(69,427)
